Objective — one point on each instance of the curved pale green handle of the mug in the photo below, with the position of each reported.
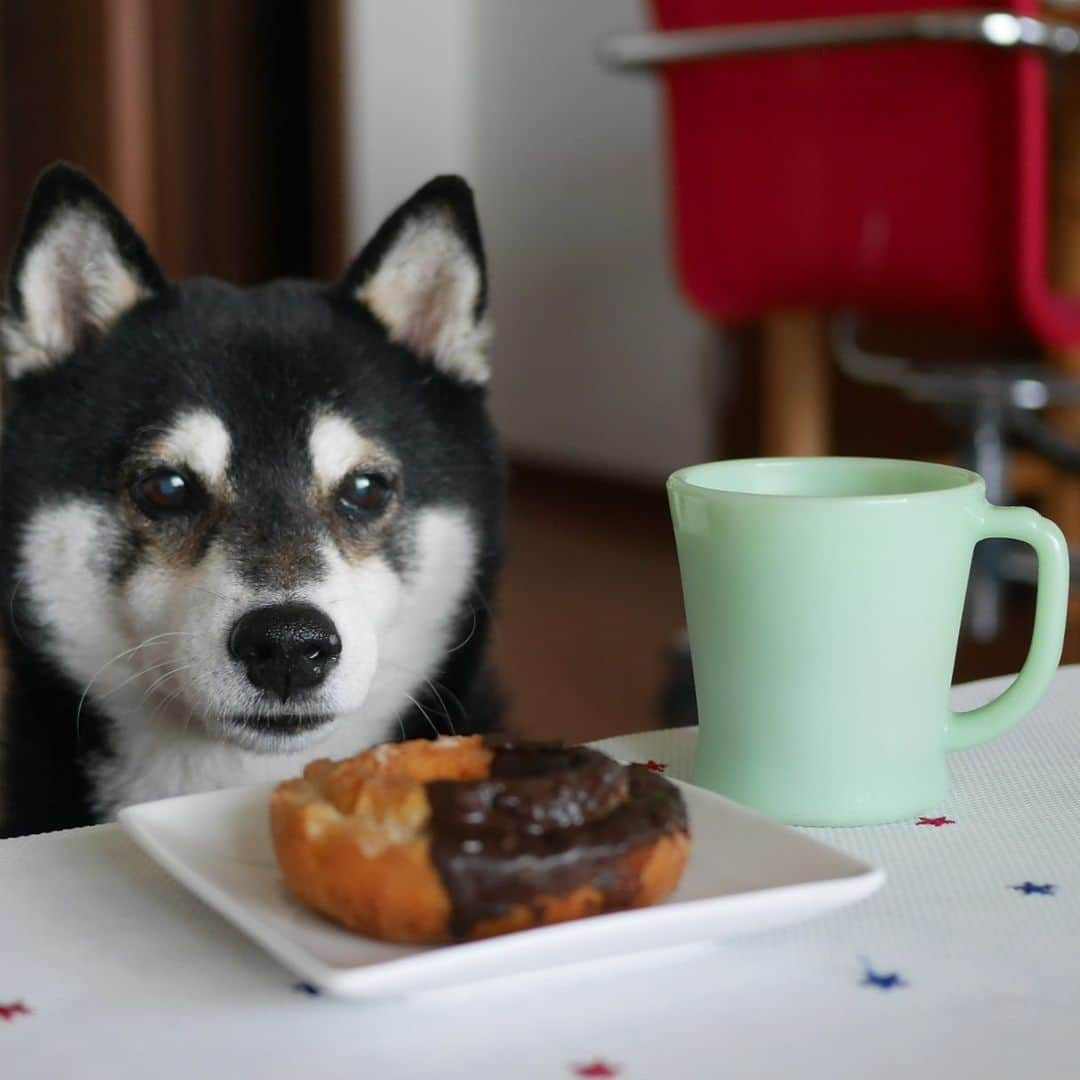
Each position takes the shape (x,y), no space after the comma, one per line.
(1051,609)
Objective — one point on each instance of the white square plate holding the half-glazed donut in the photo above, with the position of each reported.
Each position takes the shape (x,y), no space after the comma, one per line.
(746,874)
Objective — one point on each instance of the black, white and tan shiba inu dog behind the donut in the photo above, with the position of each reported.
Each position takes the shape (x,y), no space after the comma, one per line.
(241,529)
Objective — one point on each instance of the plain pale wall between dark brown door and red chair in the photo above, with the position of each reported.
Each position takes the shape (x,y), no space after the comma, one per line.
(600,364)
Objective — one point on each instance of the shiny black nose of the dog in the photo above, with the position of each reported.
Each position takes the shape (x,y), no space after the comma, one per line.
(287,647)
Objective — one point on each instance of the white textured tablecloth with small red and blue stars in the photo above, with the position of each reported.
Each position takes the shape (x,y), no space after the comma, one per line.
(966,965)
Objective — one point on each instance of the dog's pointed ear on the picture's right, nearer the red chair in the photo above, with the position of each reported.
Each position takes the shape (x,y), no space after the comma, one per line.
(423,277)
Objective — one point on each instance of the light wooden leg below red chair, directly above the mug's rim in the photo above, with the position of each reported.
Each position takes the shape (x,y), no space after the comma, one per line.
(796,407)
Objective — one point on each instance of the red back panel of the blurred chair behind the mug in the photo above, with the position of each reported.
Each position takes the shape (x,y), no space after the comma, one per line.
(901,179)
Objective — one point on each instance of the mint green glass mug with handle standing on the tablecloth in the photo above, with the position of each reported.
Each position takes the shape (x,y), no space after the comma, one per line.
(823,602)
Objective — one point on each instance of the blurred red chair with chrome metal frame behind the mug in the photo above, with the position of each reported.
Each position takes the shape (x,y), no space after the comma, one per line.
(888,159)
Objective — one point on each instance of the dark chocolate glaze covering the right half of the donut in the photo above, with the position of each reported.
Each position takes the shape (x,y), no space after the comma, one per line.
(548,820)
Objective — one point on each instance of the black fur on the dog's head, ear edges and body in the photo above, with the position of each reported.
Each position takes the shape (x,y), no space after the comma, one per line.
(264,360)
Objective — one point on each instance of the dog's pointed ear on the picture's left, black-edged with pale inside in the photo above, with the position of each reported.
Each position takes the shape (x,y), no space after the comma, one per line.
(79,266)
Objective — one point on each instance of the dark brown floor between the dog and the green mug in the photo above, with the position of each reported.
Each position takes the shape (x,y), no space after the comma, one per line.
(591,604)
